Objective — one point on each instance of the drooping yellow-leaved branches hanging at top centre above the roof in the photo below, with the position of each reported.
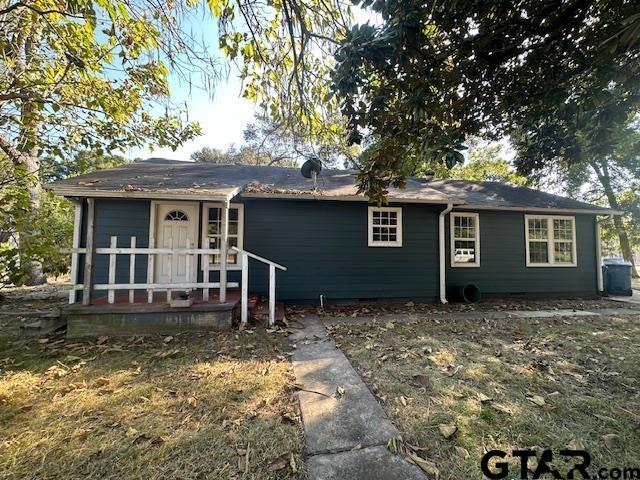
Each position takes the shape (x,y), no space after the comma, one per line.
(285,55)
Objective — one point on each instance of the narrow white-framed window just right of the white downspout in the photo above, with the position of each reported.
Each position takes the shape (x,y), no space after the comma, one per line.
(465,239)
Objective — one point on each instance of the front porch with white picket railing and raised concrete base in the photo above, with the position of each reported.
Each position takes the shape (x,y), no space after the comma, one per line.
(168,284)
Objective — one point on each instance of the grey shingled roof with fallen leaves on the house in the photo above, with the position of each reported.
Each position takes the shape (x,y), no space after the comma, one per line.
(163,179)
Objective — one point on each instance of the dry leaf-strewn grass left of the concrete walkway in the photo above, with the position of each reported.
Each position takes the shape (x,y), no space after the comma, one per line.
(189,407)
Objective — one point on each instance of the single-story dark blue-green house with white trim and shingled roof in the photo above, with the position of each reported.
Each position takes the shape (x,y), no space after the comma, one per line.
(160,225)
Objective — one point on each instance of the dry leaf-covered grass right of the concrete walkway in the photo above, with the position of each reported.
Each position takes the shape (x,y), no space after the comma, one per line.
(488,378)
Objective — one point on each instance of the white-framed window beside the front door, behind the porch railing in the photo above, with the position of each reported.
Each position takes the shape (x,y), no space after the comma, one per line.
(212,224)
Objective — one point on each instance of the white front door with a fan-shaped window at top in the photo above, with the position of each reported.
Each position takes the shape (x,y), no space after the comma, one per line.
(177,227)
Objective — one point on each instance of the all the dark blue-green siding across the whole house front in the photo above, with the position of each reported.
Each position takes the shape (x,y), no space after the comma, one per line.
(324,246)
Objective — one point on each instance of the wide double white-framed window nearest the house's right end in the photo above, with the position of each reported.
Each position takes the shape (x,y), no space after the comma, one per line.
(551,241)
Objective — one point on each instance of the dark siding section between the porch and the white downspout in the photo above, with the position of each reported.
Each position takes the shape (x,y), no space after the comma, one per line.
(323,244)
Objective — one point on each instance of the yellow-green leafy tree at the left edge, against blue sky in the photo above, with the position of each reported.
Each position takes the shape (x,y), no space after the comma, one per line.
(86,74)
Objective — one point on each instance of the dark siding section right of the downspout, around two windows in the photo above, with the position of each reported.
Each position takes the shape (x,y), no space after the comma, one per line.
(503,269)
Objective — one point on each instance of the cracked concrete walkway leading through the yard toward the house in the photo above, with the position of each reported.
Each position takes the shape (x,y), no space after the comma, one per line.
(346,430)
